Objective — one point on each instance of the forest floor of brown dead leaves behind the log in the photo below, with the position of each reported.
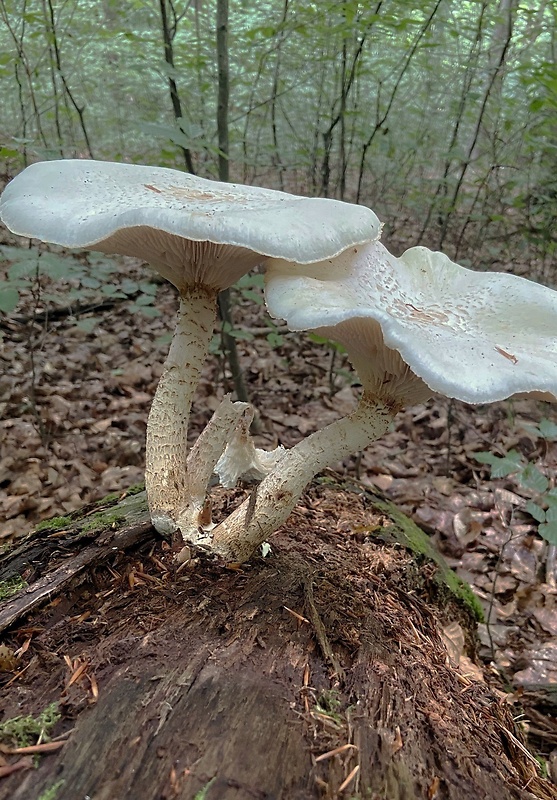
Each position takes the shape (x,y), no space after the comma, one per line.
(75,391)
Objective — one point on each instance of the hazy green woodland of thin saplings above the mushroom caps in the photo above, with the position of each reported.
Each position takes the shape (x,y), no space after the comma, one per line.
(440,117)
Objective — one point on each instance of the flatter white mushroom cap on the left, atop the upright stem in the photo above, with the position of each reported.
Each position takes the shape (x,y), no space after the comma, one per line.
(191,229)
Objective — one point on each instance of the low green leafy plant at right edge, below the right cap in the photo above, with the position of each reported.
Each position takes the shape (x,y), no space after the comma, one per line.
(543,505)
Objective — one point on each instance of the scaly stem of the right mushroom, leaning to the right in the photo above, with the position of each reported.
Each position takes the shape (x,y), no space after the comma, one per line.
(270,504)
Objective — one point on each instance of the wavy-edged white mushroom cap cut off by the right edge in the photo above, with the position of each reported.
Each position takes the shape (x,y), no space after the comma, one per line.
(475,336)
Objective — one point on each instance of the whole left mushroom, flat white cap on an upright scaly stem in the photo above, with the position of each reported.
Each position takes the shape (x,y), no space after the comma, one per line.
(201,236)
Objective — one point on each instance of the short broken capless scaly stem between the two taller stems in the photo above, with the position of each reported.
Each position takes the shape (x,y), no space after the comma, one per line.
(200,465)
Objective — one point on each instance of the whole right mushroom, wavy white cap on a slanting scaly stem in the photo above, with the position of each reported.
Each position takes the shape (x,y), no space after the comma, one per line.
(412,326)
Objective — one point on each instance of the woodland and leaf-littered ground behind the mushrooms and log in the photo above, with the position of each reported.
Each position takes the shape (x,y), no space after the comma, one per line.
(440,115)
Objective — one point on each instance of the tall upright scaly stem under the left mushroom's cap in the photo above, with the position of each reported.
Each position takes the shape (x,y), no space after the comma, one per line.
(166,478)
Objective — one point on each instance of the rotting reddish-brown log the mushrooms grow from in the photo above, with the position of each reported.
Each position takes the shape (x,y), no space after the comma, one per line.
(319,671)
